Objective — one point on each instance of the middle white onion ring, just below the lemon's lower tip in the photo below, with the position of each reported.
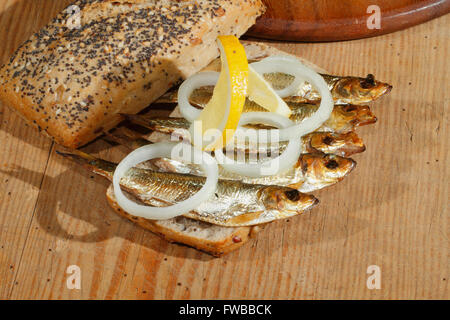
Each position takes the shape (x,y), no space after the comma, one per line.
(282,163)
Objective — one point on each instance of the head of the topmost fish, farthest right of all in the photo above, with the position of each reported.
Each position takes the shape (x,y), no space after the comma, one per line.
(360,89)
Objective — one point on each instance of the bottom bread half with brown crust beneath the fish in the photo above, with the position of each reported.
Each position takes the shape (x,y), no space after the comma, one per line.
(215,240)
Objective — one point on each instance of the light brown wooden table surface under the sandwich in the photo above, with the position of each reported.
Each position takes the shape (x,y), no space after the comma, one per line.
(392,211)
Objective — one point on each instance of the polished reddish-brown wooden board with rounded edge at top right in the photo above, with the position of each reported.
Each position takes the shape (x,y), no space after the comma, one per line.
(325,20)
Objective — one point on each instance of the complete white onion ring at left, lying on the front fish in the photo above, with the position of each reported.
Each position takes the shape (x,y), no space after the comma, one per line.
(166,150)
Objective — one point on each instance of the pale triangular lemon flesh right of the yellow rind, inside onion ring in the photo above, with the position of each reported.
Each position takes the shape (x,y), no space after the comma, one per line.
(260,91)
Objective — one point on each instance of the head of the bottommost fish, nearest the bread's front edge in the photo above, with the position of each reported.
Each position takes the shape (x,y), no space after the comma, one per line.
(286,199)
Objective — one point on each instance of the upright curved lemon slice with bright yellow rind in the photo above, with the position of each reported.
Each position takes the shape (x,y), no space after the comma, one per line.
(218,121)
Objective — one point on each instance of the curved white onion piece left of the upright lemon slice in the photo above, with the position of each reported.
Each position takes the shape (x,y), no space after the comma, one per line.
(198,80)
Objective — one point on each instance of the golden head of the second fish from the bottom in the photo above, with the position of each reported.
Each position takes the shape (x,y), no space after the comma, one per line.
(326,167)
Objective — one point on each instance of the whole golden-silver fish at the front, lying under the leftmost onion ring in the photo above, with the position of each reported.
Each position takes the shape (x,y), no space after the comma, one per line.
(234,203)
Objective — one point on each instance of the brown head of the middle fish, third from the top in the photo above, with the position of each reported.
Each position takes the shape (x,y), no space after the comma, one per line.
(344,144)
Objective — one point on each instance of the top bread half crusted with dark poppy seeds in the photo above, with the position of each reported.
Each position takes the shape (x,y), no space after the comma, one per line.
(71,80)
